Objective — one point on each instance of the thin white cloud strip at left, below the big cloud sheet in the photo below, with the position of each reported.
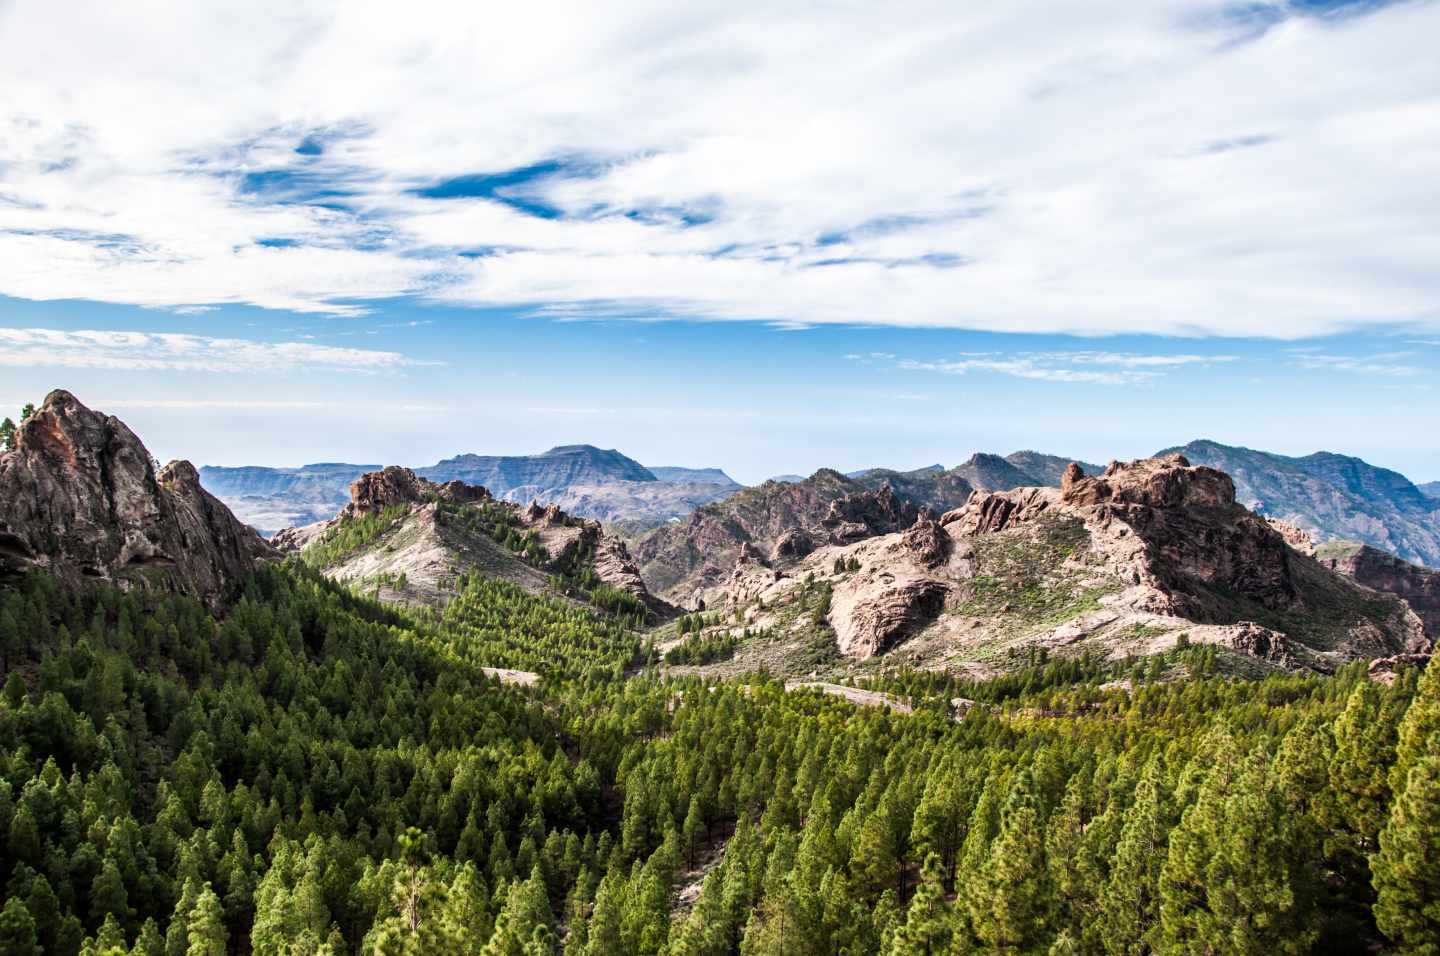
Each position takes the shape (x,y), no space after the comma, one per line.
(145,352)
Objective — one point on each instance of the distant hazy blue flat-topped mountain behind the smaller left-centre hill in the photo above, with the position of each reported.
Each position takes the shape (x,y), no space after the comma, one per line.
(584,480)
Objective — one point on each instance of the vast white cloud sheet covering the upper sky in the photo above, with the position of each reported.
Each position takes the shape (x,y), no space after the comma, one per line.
(954,168)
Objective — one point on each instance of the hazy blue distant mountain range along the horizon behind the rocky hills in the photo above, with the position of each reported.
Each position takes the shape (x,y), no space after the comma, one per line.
(1327,496)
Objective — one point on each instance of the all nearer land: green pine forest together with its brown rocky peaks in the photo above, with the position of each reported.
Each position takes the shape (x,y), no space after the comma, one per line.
(208,751)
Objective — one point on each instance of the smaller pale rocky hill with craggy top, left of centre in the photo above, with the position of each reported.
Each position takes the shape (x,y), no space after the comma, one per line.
(410,541)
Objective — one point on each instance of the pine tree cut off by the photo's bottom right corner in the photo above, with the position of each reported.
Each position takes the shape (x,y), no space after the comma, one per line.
(1408,867)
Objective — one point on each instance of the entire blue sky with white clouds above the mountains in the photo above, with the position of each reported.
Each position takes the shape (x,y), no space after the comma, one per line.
(764,238)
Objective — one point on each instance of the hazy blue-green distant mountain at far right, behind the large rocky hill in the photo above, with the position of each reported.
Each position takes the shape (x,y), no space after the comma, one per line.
(1333,497)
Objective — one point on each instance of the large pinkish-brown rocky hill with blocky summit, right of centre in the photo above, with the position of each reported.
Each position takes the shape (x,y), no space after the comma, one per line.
(1143,559)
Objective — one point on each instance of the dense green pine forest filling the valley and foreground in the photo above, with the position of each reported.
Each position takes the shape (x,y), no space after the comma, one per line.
(319,774)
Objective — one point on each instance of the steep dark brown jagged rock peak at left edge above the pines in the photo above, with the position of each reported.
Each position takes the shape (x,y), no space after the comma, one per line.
(80,496)
